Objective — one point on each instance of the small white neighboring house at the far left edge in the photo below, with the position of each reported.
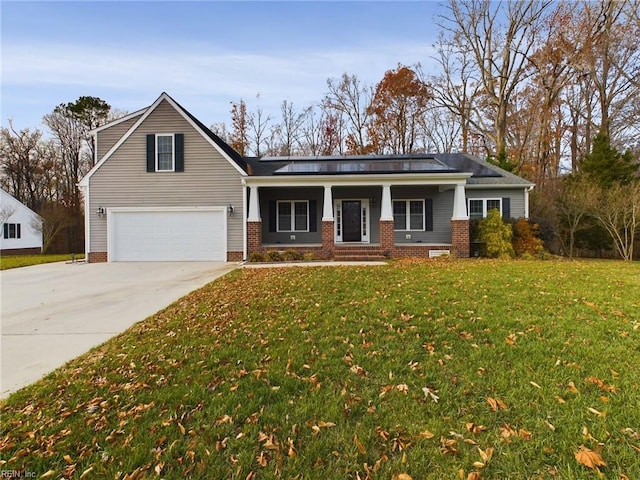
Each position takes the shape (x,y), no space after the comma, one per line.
(21,232)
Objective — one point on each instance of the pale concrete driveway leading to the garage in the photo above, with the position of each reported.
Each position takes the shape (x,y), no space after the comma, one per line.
(54,312)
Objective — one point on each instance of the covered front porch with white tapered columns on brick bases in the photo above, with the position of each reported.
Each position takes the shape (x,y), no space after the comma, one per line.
(359,216)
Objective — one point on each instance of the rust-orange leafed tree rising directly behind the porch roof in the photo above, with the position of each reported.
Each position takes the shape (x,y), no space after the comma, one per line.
(398,105)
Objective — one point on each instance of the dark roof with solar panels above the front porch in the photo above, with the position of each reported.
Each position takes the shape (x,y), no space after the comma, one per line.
(483,173)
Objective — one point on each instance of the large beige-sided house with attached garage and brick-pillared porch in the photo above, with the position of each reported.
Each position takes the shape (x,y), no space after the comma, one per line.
(166,188)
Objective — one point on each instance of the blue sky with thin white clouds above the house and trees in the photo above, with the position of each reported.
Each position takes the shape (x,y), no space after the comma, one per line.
(205,54)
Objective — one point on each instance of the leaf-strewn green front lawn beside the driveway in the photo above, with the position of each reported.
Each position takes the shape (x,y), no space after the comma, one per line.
(319,373)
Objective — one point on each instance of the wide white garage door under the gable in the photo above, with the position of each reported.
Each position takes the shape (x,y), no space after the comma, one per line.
(164,235)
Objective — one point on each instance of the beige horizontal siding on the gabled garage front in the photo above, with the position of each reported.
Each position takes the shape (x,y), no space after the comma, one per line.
(208,178)
